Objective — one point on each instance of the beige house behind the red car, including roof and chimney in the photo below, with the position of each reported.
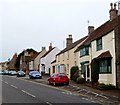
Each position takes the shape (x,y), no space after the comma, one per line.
(66,58)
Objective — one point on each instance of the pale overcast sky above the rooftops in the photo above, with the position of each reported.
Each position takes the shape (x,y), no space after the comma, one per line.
(37,23)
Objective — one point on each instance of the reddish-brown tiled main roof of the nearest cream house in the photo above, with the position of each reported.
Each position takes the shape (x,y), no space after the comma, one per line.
(102,30)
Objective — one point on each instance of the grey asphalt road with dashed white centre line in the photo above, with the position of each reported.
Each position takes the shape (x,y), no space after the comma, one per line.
(16,90)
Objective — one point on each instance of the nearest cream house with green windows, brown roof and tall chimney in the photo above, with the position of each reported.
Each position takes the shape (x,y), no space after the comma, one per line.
(97,55)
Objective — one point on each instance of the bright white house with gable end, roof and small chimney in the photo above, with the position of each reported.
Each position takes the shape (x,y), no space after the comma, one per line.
(47,58)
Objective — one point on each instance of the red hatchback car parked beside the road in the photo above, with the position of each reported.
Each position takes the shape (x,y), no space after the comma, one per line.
(58,78)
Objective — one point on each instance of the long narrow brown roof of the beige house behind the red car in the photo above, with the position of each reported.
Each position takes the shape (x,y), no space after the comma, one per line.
(72,45)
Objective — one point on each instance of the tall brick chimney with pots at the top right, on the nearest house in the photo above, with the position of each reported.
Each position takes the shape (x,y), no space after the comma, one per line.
(113,12)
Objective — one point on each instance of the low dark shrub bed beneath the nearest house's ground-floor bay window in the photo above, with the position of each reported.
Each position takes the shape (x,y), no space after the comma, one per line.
(103,86)
